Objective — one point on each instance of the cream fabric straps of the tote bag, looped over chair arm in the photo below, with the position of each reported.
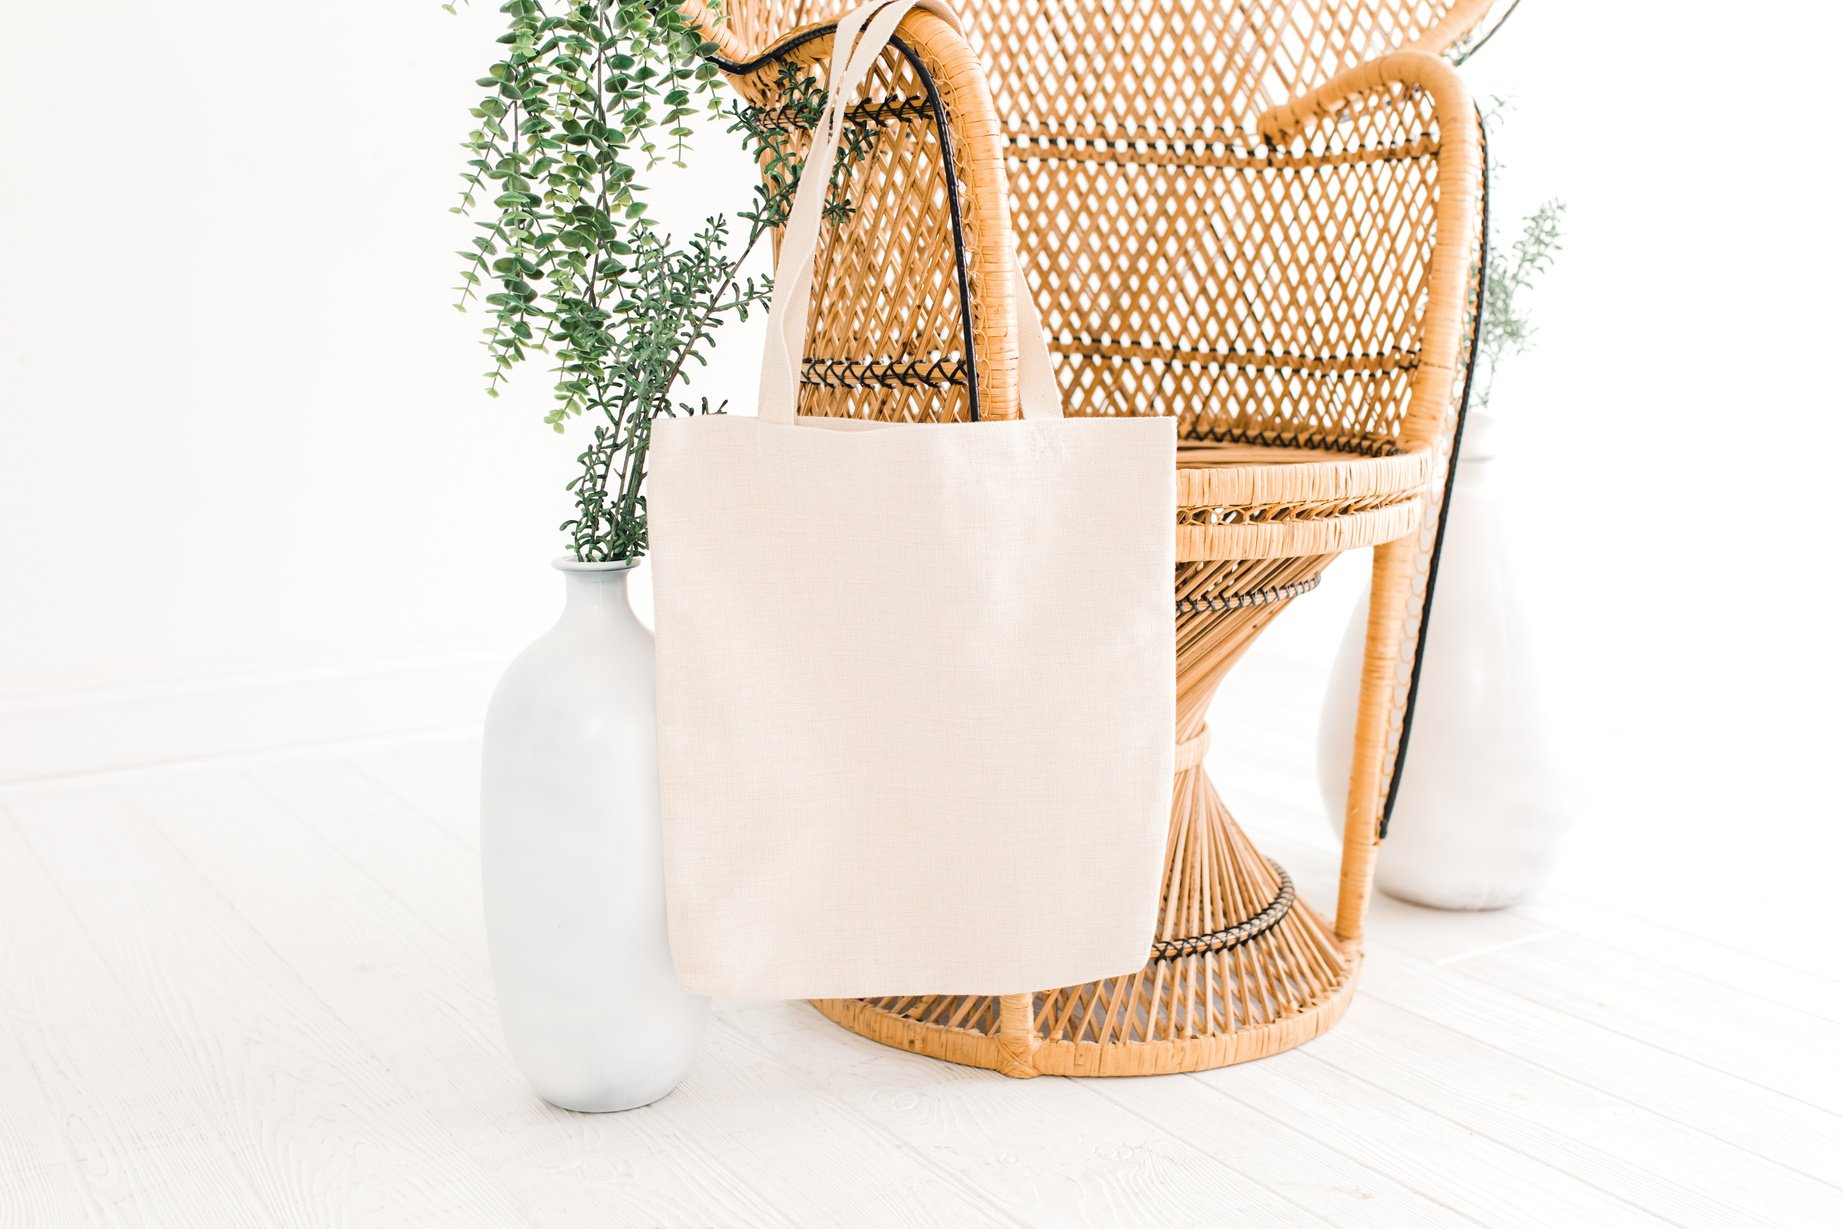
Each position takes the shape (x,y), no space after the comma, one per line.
(858,43)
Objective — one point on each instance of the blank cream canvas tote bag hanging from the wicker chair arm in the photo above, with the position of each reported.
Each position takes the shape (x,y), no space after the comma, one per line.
(915,681)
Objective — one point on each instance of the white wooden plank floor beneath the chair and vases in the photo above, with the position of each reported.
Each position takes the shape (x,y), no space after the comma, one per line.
(255,994)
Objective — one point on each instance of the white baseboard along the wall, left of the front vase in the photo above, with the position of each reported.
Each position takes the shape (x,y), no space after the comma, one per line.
(88,729)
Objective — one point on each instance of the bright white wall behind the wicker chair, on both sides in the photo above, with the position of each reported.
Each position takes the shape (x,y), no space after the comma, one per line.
(244,434)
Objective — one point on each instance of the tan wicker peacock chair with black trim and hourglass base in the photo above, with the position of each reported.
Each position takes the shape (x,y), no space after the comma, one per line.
(1262,218)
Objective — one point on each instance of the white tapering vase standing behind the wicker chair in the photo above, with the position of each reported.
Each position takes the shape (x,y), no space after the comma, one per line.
(1483,810)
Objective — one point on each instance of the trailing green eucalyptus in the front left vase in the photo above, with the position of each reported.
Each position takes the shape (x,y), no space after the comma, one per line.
(585,99)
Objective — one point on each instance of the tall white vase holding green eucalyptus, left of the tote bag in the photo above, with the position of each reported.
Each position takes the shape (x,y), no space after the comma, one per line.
(572,863)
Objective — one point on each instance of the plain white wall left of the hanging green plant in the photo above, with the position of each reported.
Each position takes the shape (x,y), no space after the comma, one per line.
(244,434)
